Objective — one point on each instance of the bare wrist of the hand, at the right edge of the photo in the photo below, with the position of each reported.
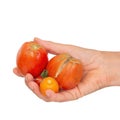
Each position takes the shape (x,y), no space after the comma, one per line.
(112,62)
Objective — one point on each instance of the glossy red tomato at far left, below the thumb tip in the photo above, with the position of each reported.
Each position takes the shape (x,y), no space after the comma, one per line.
(31,58)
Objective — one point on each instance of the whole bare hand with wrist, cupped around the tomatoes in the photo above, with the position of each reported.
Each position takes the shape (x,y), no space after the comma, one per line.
(100,70)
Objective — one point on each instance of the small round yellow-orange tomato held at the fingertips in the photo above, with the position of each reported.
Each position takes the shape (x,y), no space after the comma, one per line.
(48,83)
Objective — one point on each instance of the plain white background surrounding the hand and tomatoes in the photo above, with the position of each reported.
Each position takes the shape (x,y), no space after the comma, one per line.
(92,24)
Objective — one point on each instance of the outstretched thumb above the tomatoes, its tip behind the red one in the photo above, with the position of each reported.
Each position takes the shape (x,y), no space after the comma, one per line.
(54,48)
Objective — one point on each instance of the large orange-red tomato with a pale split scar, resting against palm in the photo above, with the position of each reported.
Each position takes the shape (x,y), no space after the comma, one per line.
(66,70)
